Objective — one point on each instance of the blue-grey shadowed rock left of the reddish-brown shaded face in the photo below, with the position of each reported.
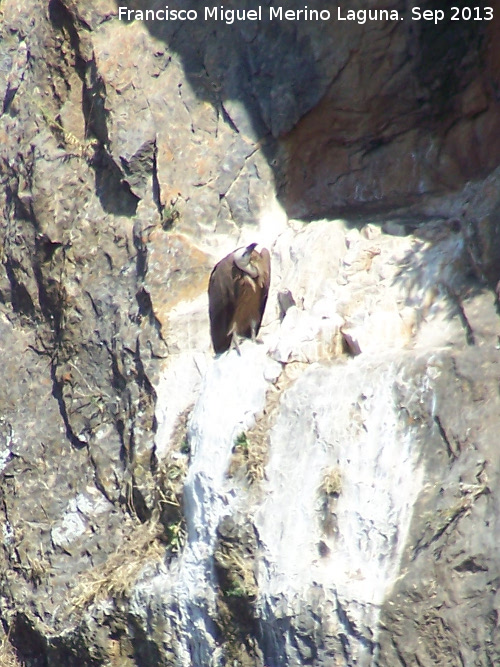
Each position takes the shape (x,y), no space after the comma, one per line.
(268,66)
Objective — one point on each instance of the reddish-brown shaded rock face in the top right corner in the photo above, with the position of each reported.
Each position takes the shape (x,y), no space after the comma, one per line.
(410,116)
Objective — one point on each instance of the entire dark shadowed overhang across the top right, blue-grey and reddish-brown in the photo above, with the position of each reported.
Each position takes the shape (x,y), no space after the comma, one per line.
(332,102)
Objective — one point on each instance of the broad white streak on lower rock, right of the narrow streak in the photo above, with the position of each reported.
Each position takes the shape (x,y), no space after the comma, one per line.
(343,417)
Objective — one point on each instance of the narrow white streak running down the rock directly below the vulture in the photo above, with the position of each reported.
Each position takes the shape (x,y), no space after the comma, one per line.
(233,391)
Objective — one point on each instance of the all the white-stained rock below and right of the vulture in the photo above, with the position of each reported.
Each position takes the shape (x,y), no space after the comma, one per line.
(382,294)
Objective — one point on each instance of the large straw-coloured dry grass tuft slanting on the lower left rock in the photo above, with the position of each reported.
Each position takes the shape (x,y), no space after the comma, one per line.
(118,574)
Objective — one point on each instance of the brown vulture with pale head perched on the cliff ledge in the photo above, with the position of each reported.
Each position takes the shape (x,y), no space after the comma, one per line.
(237,296)
